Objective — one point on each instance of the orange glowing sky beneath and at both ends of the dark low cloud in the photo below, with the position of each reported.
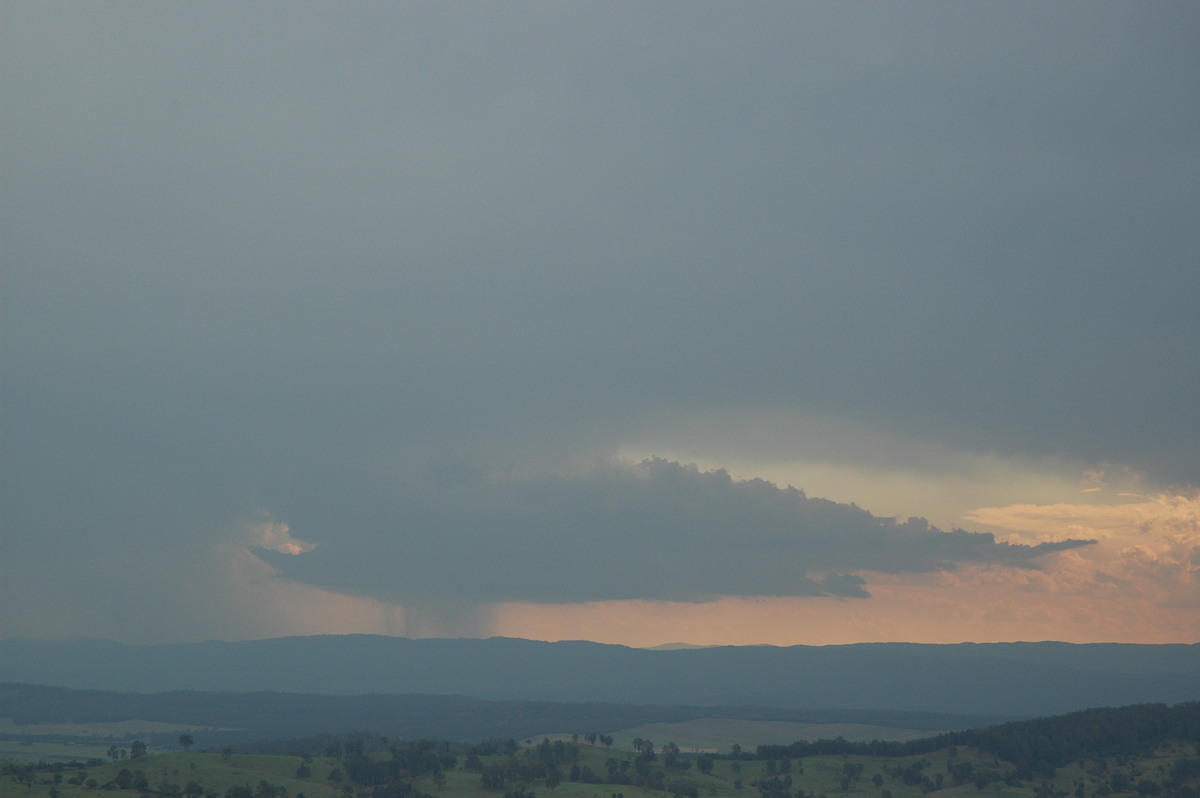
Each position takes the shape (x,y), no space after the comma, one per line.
(1141,583)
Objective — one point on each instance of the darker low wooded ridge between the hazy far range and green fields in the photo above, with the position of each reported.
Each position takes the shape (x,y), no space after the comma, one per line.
(56,715)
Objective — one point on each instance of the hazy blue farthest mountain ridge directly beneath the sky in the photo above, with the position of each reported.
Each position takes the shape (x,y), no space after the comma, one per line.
(981,680)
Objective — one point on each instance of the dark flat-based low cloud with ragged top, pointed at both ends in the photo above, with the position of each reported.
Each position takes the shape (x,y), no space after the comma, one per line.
(657,530)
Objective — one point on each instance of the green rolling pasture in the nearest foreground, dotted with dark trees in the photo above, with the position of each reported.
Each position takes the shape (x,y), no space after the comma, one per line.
(213,775)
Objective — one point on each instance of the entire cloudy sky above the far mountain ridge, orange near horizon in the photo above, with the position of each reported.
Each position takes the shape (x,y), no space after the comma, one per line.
(789,323)
